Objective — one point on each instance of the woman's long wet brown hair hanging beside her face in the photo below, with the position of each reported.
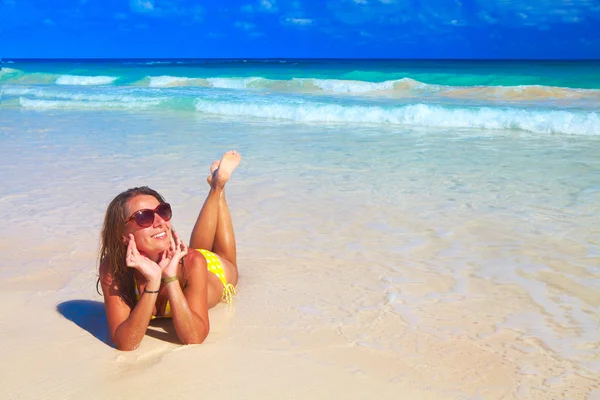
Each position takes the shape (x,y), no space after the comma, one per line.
(113,250)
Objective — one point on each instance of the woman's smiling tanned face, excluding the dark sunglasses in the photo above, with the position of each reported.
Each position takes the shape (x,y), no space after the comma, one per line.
(151,240)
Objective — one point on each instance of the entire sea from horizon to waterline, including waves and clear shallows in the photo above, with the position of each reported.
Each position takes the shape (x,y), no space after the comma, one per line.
(435,178)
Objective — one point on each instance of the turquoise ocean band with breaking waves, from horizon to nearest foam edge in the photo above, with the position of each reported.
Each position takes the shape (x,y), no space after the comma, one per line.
(541,97)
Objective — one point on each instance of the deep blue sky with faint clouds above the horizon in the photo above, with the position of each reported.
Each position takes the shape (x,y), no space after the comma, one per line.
(300,28)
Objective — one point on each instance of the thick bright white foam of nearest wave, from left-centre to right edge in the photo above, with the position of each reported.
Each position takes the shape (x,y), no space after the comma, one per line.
(581,123)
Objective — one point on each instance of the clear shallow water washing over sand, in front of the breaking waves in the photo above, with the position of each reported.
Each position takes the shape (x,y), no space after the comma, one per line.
(449,233)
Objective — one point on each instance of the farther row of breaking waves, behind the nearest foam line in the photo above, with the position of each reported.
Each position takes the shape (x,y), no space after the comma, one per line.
(398,88)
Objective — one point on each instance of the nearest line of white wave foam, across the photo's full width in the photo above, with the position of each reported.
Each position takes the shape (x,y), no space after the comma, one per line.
(304,109)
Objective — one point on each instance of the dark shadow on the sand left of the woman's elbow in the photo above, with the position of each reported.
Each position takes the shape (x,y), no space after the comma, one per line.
(89,315)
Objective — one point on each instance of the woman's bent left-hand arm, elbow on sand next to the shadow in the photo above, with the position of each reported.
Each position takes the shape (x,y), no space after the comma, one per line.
(127,326)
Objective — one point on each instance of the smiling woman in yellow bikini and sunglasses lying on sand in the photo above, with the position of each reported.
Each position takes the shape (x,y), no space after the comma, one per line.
(146,271)
